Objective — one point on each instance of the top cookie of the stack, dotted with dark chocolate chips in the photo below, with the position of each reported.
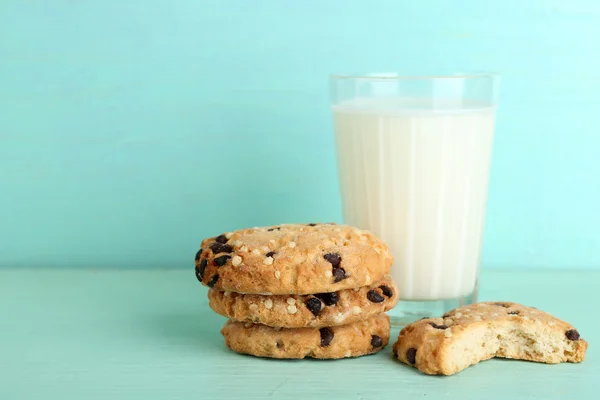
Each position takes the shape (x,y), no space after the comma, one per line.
(292,259)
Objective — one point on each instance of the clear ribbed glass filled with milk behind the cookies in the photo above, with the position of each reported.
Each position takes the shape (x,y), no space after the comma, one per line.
(414,158)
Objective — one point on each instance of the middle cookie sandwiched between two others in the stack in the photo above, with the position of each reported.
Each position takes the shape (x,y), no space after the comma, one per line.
(297,311)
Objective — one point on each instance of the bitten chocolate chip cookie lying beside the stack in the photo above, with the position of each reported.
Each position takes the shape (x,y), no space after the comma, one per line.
(470,334)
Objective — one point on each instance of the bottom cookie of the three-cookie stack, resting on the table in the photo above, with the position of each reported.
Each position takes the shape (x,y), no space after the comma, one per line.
(352,340)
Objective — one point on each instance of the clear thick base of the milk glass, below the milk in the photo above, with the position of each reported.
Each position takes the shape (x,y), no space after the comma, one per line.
(407,311)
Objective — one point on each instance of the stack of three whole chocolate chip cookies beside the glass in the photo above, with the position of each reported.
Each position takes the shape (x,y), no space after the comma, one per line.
(295,291)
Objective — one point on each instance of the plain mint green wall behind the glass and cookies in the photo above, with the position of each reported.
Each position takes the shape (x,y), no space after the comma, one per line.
(129,130)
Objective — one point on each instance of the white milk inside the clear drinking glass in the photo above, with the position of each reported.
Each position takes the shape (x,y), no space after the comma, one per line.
(418,179)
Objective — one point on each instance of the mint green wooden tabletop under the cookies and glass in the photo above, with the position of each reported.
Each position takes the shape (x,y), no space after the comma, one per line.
(149,334)
